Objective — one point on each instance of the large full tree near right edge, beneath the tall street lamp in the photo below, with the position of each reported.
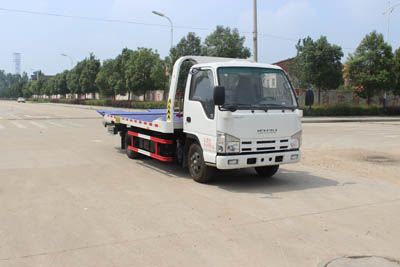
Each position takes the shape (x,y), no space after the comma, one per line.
(371,67)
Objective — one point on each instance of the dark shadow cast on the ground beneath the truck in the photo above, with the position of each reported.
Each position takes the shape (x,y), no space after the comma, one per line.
(246,180)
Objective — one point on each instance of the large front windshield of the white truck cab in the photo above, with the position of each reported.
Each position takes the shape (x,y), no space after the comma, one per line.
(247,87)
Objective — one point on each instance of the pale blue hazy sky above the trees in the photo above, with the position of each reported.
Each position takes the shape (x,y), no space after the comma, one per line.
(41,39)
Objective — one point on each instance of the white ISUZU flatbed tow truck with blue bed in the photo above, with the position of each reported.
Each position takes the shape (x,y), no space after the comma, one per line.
(233,114)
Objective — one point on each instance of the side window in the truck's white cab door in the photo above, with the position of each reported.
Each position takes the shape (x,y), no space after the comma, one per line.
(201,89)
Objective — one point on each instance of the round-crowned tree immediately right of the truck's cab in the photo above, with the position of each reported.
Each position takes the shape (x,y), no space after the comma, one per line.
(317,64)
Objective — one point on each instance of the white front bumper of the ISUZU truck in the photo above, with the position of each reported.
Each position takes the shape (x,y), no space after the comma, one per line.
(257,160)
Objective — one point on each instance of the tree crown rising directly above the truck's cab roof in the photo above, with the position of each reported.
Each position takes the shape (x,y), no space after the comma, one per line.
(224,42)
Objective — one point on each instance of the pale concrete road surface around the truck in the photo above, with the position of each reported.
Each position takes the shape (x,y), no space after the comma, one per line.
(70,197)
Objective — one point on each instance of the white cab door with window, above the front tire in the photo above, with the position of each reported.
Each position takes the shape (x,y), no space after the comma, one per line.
(199,110)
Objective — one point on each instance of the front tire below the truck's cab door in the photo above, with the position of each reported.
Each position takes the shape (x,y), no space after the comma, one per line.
(198,169)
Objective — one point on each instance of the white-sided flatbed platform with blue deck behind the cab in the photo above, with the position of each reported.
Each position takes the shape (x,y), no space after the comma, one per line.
(151,119)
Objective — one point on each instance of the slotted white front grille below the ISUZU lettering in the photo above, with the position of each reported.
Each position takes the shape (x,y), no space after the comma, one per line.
(267,145)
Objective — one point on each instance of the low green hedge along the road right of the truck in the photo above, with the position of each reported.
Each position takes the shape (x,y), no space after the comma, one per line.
(350,110)
